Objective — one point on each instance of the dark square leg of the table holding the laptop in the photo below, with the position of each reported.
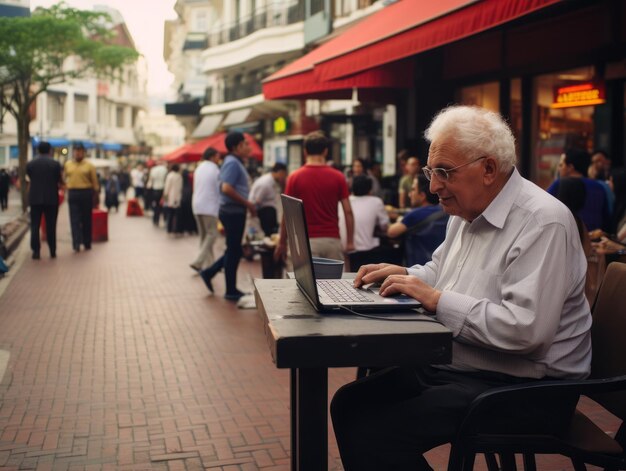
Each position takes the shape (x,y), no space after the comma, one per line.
(309,419)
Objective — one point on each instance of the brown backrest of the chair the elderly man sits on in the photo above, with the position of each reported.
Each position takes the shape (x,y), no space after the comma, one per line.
(608,335)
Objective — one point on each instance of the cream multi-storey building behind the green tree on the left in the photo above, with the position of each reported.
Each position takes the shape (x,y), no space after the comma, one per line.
(101,113)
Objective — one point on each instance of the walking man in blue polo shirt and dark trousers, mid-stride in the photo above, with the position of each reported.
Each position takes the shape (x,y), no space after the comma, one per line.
(234,189)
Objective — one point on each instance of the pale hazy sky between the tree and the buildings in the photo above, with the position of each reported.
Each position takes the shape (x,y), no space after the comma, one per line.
(144,20)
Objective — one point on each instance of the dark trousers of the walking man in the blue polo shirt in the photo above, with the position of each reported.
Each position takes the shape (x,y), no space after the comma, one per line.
(234,225)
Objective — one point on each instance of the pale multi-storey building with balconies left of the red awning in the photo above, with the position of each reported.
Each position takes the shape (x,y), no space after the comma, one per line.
(245,42)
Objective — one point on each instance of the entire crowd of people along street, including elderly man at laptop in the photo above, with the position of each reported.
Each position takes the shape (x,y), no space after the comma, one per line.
(504,264)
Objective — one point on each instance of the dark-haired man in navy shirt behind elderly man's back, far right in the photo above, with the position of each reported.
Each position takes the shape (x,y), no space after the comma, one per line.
(595,213)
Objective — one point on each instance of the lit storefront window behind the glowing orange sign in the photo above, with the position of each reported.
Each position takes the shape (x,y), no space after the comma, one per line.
(558,125)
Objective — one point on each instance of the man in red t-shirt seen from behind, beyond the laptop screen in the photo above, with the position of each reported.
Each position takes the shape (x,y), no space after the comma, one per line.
(321,188)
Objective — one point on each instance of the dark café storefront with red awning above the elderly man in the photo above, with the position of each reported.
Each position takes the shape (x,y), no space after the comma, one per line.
(554,68)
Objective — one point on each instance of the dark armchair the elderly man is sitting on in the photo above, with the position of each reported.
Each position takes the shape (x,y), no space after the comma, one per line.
(583,441)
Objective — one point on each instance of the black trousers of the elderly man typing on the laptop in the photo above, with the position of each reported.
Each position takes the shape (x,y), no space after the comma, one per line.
(389,419)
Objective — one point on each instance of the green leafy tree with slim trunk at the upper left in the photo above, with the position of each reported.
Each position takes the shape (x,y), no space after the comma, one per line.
(34,54)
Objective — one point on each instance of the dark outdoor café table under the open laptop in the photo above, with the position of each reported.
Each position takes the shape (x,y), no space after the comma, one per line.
(309,343)
